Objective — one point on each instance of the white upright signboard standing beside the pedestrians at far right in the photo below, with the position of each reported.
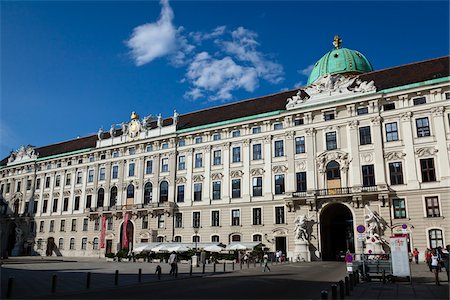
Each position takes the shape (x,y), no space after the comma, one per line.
(400,256)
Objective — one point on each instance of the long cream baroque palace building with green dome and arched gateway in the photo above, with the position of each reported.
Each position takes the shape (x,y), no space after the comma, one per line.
(354,141)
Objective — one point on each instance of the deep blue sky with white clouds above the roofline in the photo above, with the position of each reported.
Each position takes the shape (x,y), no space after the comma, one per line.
(69,68)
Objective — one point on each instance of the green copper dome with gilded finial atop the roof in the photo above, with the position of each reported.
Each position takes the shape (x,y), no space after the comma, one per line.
(340,61)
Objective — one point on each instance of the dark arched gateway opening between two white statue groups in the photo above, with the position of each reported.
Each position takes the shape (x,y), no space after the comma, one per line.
(336,231)
